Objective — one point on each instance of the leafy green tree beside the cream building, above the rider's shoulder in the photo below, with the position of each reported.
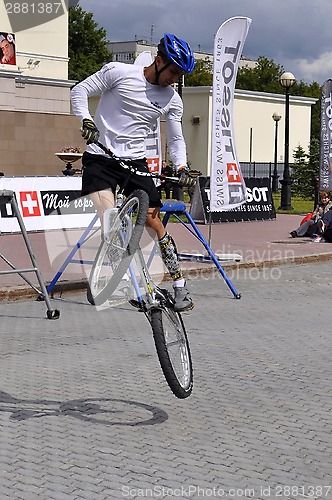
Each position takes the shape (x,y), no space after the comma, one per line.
(87,49)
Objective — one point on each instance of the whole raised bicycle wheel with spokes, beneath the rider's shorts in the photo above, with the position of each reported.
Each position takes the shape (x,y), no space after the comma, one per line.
(117,248)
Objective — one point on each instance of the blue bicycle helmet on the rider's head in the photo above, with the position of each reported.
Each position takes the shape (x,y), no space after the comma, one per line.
(177,51)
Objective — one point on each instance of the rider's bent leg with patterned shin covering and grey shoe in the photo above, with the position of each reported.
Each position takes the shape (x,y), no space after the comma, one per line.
(170,258)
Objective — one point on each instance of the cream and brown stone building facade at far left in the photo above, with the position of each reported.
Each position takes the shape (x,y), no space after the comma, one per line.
(35,113)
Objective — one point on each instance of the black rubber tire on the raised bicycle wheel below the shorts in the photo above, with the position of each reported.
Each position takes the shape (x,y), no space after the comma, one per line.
(132,246)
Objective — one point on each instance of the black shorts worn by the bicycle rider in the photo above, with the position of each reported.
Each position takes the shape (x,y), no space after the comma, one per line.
(100,172)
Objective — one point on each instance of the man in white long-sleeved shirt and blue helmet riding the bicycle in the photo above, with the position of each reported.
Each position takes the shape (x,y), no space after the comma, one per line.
(132,98)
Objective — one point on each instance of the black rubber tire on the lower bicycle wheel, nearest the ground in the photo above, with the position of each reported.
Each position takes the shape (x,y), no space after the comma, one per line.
(155,317)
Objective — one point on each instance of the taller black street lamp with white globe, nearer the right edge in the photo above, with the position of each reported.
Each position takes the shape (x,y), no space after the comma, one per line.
(286,80)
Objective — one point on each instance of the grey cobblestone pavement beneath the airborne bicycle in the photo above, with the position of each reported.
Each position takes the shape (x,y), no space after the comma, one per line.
(86,414)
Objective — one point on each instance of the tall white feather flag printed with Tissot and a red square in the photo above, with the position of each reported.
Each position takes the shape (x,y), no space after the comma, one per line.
(228,189)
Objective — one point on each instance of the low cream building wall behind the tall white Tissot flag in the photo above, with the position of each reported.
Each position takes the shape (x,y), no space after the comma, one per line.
(254,127)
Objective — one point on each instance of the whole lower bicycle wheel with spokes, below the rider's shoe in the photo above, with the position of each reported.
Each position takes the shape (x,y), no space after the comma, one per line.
(173,349)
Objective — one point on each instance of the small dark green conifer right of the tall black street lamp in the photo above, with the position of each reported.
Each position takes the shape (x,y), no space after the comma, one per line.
(305,170)
